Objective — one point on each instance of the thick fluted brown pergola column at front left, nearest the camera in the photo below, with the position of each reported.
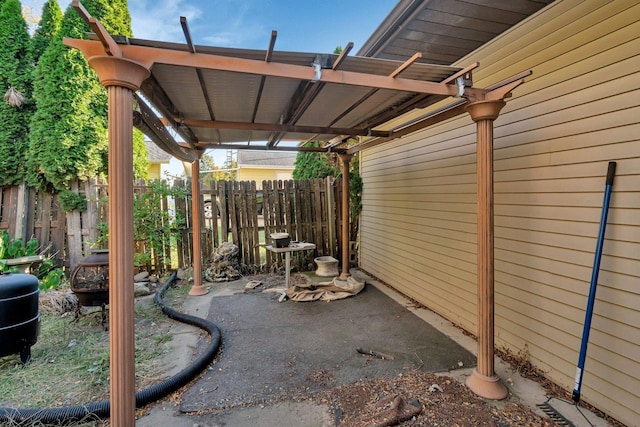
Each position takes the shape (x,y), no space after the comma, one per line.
(122,78)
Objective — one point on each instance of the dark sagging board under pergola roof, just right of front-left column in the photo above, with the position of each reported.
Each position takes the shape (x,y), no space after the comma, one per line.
(149,123)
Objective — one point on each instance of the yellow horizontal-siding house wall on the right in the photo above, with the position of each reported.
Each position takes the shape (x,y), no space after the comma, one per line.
(579,110)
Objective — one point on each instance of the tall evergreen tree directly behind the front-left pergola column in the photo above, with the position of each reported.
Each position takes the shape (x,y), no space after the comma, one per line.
(69,129)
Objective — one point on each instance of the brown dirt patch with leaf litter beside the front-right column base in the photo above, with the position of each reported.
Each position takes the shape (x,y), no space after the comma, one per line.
(423,399)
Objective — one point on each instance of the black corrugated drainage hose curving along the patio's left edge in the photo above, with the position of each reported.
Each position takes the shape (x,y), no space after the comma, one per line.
(71,414)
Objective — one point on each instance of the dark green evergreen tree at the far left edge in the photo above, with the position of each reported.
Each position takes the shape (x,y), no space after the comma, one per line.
(16,107)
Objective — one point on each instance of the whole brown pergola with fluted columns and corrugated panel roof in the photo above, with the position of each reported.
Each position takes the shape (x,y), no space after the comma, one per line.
(251,99)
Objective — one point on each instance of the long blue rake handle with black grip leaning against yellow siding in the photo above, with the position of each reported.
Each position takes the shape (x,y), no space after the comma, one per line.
(594,283)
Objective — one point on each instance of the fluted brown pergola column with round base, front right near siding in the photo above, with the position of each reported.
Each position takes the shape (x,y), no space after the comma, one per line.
(483,381)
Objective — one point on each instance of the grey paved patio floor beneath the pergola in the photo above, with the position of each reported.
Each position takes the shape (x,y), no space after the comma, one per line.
(271,349)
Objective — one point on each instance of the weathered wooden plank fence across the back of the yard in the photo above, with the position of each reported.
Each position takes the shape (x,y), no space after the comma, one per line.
(306,209)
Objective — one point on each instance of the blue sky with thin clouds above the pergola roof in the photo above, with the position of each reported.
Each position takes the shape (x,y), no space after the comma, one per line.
(302,25)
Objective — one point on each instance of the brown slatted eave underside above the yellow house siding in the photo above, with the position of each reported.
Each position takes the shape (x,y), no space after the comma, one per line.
(444,31)
